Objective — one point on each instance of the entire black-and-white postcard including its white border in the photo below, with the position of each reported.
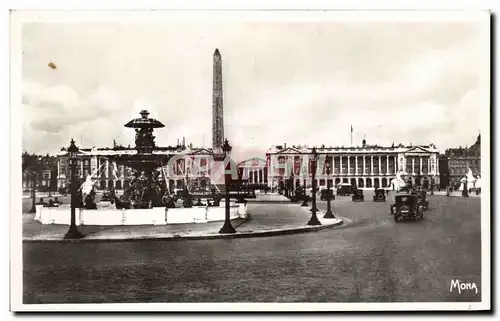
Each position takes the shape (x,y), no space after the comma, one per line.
(206,160)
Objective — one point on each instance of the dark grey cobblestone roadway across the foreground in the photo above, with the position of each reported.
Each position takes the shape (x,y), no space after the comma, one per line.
(371,259)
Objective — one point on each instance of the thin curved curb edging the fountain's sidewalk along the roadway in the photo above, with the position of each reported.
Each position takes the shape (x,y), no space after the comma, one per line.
(200,237)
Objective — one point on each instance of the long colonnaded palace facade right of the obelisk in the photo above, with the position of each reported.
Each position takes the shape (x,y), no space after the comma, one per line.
(366,166)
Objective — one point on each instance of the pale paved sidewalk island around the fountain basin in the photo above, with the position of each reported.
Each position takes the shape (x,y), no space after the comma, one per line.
(264,220)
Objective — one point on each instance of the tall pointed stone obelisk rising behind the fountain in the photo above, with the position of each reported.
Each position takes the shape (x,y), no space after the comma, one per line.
(217,104)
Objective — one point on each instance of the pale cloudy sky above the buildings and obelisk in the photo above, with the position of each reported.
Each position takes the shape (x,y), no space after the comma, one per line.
(284,82)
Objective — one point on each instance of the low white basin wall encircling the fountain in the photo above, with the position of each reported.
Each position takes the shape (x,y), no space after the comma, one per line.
(108,215)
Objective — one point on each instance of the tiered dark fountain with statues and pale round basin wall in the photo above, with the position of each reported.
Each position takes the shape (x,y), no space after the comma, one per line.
(142,202)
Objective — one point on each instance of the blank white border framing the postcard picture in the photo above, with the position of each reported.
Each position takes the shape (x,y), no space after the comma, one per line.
(187,16)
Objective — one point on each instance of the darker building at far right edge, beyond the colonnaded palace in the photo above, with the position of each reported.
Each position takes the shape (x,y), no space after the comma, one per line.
(461,159)
